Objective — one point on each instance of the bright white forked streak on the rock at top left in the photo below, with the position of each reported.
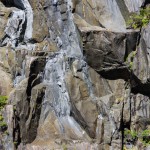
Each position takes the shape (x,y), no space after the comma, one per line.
(15,25)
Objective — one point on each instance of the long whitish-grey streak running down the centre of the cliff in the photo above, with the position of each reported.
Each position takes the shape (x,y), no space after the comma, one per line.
(56,95)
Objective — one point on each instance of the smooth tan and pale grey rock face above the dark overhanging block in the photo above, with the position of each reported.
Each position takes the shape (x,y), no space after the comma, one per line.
(104,13)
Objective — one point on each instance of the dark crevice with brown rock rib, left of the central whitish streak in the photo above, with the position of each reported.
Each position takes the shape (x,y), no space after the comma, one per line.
(35,93)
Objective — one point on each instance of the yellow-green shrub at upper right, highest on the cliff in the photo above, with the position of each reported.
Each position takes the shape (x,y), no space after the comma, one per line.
(141,19)
